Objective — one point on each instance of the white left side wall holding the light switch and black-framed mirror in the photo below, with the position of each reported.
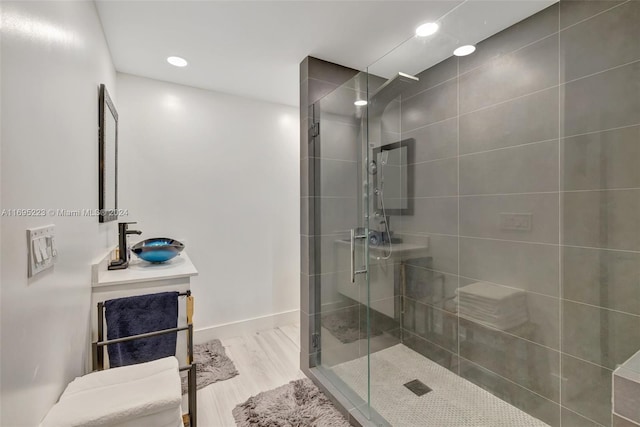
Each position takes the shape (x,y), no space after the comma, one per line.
(54,56)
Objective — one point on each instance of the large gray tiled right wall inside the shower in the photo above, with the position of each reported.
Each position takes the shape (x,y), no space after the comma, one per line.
(544,120)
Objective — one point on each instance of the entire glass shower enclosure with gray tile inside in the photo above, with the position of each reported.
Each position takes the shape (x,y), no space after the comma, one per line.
(477,244)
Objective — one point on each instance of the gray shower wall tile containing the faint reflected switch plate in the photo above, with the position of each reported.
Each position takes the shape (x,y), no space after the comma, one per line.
(480,216)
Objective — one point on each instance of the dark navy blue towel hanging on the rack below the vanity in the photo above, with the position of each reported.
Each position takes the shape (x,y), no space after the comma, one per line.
(138,315)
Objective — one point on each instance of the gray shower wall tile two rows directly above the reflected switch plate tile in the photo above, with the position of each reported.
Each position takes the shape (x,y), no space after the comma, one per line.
(531,118)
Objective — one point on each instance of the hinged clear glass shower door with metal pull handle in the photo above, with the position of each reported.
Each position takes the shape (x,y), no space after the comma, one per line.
(341,209)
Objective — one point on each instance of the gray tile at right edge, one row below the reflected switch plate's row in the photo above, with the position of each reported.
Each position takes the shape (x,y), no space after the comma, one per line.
(605,278)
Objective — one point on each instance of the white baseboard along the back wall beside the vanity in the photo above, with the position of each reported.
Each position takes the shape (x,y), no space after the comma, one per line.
(245,327)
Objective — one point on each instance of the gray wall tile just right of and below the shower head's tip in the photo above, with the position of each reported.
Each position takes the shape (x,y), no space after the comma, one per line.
(433,105)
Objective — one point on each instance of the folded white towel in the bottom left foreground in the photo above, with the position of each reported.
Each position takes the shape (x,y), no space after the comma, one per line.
(118,395)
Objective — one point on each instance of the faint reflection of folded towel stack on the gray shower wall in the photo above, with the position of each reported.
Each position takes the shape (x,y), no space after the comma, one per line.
(496,306)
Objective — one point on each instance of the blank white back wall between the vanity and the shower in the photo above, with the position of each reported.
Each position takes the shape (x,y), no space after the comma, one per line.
(221,172)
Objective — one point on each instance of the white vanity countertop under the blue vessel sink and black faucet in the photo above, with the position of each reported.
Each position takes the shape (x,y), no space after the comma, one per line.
(143,271)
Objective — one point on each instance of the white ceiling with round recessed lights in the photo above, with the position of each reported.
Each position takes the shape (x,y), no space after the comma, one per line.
(253,48)
